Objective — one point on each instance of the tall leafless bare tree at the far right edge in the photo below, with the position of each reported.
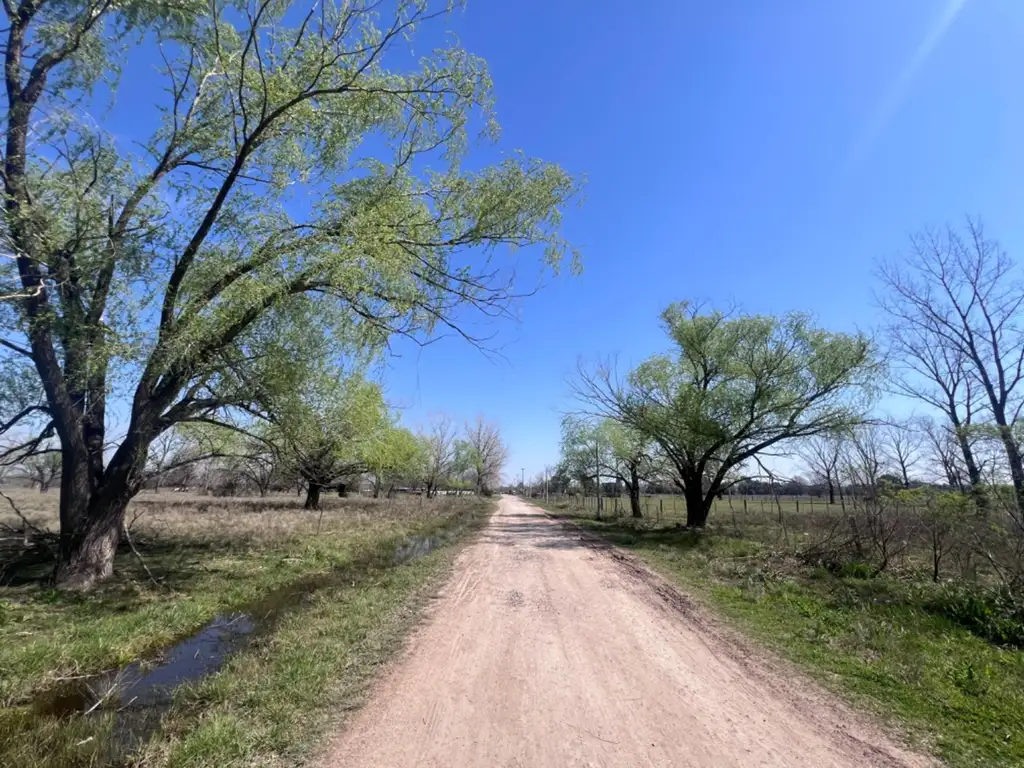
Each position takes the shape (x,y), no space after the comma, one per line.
(956,308)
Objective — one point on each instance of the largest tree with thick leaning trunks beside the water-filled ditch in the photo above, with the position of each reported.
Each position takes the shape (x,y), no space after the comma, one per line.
(302,162)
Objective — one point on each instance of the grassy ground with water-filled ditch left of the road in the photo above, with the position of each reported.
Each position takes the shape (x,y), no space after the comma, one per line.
(329,609)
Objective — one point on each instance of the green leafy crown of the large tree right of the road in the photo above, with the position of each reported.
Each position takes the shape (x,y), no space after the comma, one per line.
(737,385)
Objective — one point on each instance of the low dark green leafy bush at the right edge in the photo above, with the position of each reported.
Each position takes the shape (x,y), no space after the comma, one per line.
(996,615)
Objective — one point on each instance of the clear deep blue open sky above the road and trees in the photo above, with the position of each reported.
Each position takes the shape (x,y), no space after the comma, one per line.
(765,153)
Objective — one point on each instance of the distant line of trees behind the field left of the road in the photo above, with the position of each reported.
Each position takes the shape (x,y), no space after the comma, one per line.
(348,443)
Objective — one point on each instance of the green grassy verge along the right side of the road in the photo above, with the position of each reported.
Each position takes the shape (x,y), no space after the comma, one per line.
(875,641)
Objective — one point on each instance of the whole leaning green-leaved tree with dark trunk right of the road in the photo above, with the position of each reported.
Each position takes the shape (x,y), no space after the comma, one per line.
(735,388)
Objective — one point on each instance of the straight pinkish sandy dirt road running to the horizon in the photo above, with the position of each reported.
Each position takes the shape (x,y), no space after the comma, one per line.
(547,650)
